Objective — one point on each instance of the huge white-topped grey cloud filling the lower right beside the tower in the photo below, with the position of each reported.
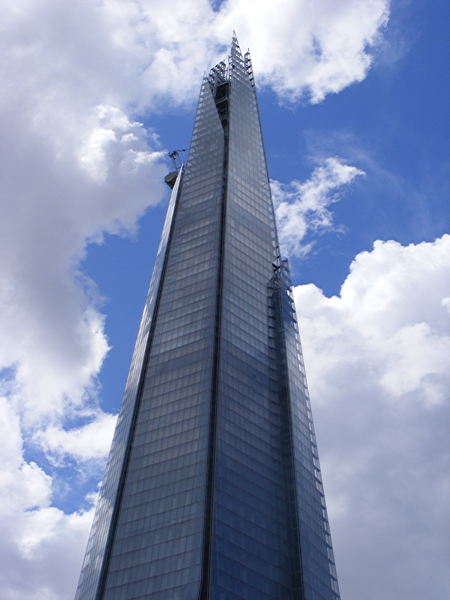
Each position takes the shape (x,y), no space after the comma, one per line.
(378,364)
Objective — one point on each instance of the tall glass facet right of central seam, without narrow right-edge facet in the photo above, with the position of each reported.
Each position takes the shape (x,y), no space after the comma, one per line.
(252,547)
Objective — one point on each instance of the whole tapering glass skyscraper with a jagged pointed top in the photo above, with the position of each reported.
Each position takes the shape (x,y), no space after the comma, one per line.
(213,489)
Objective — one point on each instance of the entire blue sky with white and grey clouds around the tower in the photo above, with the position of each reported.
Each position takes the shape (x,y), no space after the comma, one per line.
(353,98)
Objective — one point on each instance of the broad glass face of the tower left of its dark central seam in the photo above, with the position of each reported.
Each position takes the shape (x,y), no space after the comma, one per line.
(157,544)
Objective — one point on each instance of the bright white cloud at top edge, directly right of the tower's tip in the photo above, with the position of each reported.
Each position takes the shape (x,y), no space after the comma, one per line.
(308,48)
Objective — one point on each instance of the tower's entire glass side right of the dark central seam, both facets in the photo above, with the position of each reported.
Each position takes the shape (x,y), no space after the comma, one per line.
(269,520)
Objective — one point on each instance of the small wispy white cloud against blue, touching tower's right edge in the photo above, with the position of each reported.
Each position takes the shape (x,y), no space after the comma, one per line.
(303,207)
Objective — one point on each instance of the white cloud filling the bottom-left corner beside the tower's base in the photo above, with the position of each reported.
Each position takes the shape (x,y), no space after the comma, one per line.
(41,546)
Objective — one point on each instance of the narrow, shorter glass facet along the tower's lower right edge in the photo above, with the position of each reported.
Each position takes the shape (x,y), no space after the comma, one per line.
(318,572)
